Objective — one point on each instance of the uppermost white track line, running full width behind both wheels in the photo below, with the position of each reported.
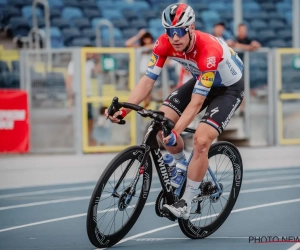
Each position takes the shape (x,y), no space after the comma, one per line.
(62,190)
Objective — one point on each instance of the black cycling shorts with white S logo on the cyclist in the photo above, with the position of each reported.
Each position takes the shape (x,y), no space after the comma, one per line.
(221,102)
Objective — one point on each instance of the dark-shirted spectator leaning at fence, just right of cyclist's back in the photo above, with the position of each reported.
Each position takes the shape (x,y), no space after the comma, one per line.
(244,43)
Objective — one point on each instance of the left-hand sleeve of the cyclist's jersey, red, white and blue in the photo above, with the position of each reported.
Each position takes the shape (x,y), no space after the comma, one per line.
(158,58)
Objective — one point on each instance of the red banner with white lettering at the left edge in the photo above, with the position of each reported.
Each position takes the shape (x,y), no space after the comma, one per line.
(14,121)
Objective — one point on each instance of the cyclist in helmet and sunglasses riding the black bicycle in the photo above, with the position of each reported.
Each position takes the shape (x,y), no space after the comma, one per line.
(216,85)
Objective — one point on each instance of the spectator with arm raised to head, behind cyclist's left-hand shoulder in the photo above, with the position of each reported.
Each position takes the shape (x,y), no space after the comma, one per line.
(143,39)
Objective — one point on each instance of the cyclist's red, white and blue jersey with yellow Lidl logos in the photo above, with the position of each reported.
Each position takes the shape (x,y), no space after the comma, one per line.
(210,61)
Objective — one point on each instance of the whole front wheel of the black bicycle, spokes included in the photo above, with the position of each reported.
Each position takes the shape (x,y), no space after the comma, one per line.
(116,202)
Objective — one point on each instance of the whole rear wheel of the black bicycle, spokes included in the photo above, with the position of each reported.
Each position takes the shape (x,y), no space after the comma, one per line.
(208,211)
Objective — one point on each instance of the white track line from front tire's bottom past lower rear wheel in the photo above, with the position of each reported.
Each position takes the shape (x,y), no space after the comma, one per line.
(233,211)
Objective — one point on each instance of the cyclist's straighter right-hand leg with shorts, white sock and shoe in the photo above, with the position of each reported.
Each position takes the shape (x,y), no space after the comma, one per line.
(222,104)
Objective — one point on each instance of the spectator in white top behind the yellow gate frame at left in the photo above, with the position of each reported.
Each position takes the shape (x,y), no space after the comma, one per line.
(92,65)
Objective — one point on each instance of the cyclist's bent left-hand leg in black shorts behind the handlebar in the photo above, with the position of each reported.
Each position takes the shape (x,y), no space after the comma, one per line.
(174,106)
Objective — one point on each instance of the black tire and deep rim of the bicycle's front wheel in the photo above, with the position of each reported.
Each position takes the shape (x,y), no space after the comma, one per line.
(96,235)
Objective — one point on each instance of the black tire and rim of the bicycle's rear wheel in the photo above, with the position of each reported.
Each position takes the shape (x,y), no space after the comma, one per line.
(187,226)
